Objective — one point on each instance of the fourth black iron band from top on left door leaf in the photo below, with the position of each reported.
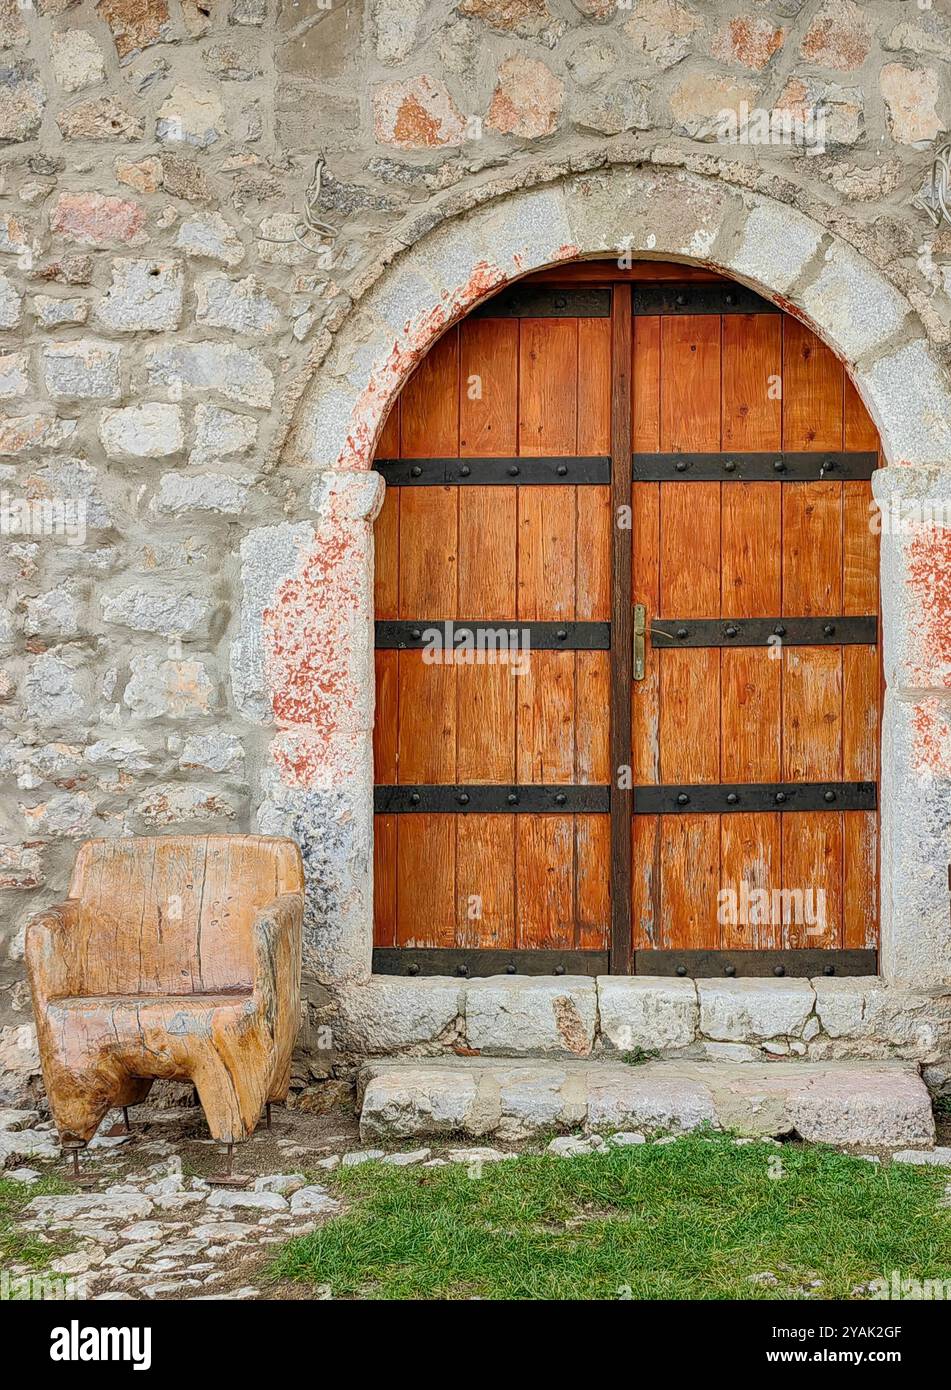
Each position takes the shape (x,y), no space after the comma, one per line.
(493,800)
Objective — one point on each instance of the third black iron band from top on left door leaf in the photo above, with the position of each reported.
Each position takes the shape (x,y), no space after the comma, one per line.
(494,636)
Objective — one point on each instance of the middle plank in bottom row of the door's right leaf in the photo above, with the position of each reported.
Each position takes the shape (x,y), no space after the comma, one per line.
(750,871)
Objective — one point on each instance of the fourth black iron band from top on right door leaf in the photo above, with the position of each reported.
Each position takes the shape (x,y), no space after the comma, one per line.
(746,797)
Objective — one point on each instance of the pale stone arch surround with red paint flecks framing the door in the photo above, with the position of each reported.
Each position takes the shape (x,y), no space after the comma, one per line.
(305,658)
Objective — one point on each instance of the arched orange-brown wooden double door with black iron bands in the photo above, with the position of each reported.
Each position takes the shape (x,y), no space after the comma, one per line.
(628,667)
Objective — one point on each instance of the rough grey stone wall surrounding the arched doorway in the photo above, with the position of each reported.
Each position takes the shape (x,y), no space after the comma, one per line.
(162,323)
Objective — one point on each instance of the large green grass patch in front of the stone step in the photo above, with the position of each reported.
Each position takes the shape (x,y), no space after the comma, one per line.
(693,1220)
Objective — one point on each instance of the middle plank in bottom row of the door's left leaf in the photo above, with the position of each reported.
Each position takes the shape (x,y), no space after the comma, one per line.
(486,882)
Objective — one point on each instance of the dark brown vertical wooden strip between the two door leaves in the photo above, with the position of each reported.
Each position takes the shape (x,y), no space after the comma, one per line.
(622,797)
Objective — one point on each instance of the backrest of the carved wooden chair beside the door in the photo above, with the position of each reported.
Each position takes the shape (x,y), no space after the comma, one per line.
(173,914)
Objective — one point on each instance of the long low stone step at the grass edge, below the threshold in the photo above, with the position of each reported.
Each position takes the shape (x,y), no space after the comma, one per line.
(856,1104)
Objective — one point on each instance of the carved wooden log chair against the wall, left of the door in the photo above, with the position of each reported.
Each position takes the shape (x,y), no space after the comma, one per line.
(173,957)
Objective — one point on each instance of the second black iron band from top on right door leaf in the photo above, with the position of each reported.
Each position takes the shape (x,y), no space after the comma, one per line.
(781,466)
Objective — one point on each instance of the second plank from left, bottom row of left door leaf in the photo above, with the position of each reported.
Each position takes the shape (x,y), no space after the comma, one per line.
(426,882)
